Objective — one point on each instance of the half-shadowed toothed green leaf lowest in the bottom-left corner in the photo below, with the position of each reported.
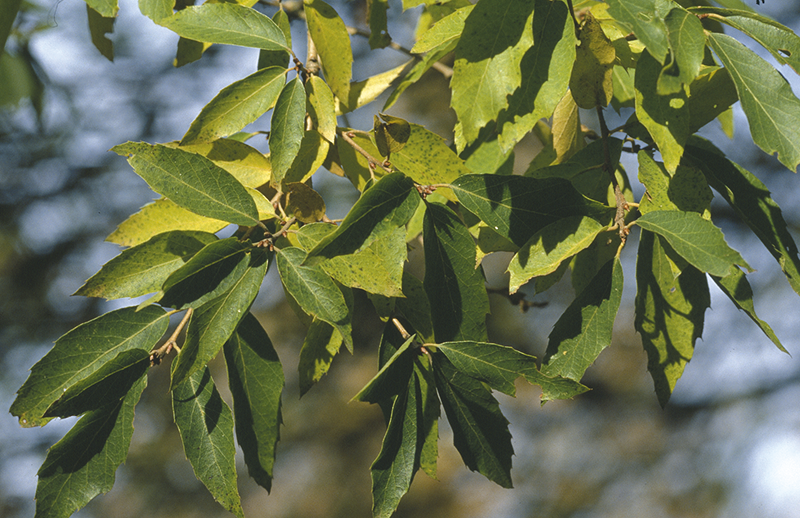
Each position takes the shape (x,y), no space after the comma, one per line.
(82,464)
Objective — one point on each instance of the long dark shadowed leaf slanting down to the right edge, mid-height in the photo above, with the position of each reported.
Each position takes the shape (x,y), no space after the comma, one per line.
(751,200)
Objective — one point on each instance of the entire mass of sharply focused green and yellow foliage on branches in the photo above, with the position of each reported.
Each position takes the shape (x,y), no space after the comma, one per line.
(516,68)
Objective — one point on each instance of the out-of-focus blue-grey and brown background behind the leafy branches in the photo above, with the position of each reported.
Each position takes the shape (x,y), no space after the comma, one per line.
(728,443)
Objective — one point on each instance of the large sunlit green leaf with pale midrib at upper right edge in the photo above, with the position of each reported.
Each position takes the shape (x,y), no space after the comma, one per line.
(767,99)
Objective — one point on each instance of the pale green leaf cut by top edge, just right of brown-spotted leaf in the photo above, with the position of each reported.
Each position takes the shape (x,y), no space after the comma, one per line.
(646,19)
